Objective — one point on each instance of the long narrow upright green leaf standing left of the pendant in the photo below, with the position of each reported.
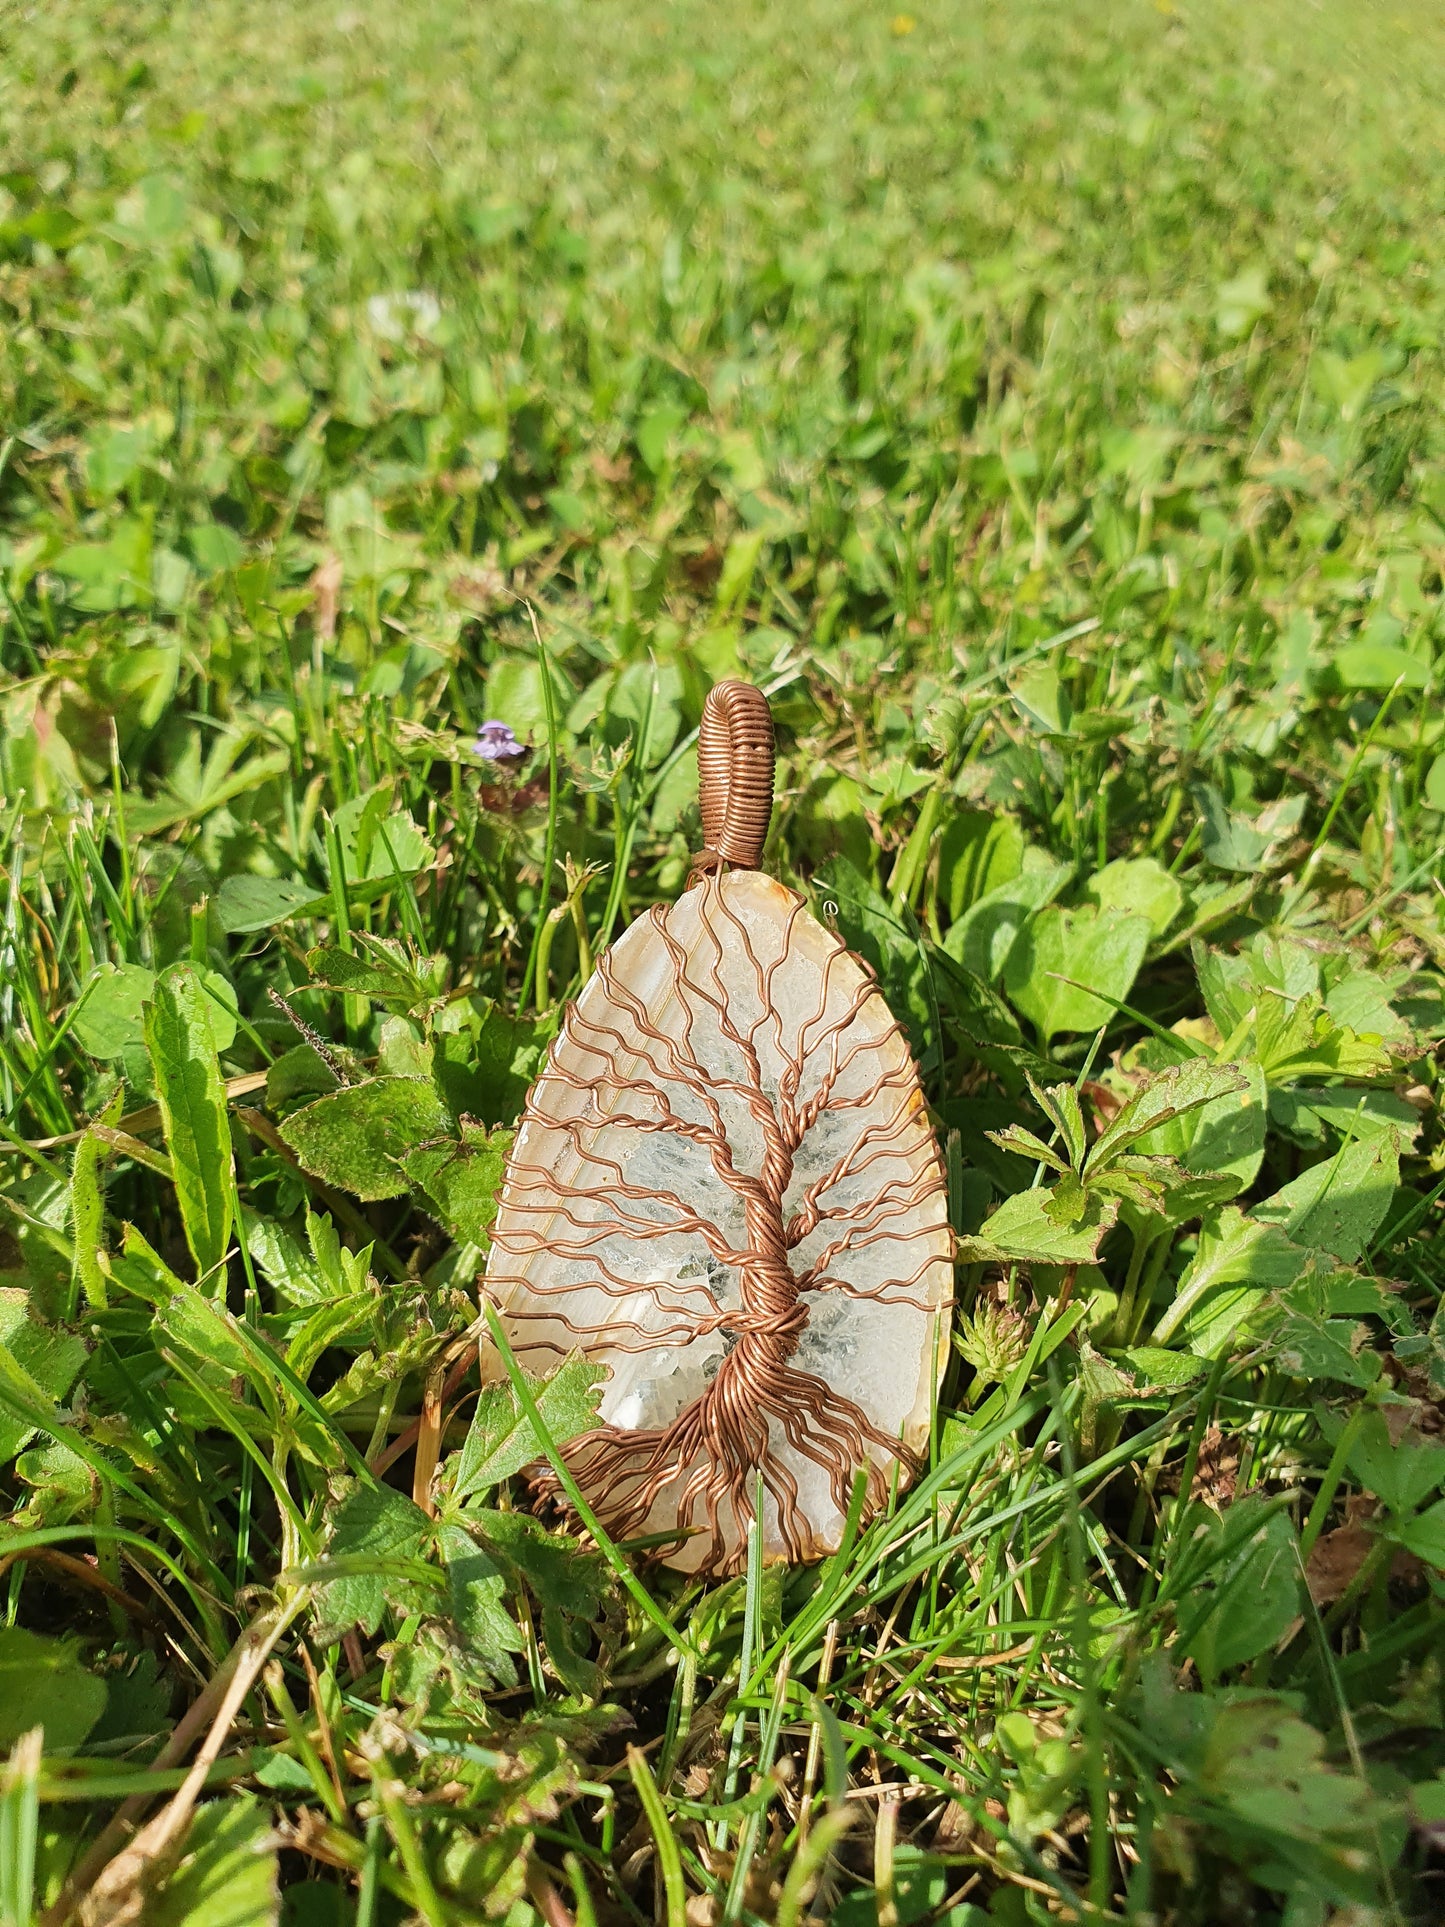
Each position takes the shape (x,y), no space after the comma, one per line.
(192,1094)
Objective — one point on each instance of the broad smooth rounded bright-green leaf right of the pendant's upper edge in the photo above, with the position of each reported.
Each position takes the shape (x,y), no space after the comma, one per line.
(1066,955)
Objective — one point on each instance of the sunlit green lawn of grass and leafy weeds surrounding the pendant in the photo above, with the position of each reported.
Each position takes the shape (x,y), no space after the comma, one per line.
(1045,408)
